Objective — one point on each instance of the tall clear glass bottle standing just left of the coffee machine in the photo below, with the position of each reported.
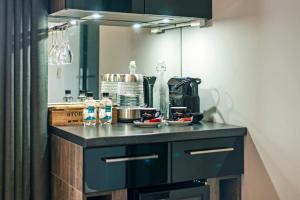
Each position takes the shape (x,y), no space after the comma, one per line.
(161,91)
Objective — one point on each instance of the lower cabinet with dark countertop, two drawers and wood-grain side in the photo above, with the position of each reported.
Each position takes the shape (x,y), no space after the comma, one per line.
(122,162)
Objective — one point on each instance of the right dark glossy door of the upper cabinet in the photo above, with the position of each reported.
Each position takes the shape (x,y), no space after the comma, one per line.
(188,8)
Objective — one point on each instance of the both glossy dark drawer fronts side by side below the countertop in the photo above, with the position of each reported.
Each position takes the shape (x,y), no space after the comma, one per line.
(146,165)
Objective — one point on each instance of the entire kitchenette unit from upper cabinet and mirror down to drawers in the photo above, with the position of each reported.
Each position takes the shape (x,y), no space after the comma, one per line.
(146,138)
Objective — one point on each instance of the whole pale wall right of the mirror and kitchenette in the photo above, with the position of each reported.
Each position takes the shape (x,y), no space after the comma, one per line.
(250,65)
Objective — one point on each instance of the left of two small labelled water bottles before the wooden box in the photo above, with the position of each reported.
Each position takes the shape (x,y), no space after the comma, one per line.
(89,112)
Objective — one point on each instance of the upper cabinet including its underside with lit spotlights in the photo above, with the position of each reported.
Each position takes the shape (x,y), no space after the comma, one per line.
(139,13)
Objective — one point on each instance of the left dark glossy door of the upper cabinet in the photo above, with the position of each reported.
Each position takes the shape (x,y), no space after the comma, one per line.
(127,6)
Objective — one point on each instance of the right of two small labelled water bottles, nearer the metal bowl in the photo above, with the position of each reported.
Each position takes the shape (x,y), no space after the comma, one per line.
(105,110)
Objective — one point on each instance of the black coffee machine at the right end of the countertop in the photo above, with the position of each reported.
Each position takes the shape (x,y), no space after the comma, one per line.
(184,93)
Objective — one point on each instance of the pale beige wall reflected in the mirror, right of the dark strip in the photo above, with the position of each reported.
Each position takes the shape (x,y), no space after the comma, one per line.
(120,45)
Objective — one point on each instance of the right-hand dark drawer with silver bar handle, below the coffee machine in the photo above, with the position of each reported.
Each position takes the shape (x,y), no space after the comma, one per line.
(209,158)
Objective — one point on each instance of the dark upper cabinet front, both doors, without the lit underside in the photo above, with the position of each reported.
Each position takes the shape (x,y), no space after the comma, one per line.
(182,8)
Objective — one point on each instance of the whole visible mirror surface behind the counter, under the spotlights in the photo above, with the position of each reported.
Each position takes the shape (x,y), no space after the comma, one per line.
(99,50)
